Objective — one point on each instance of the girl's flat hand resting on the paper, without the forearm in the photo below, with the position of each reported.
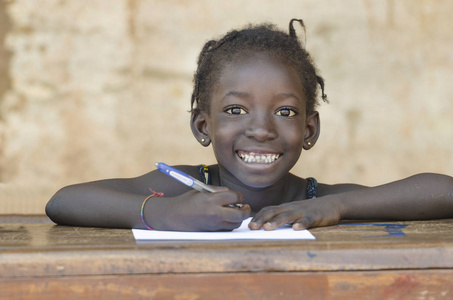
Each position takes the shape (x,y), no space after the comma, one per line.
(301,214)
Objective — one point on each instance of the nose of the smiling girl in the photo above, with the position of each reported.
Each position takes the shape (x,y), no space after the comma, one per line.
(261,127)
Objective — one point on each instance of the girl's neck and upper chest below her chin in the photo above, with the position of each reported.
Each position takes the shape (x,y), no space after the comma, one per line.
(286,189)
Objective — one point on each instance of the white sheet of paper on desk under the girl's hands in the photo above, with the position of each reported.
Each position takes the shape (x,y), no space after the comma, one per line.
(241,233)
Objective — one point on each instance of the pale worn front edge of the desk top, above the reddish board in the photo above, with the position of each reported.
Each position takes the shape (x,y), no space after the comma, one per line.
(161,261)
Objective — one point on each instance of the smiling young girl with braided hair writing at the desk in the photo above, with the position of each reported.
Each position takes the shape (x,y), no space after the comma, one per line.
(254,101)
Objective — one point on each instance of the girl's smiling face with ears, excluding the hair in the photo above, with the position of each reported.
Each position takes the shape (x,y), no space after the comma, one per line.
(257,121)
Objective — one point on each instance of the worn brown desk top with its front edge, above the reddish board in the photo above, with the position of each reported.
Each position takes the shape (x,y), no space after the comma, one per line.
(51,250)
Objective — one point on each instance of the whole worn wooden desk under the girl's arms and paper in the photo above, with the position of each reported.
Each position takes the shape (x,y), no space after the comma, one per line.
(392,260)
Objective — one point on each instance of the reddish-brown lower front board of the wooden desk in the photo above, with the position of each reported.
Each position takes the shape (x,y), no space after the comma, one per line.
(400,285)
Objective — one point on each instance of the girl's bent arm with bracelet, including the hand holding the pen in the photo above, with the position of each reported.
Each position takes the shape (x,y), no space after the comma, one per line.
(117,203)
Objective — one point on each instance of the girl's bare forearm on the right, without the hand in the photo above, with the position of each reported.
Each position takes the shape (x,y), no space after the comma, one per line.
(423,196)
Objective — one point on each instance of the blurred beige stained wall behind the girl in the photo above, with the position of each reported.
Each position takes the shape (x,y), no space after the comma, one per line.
(94,89)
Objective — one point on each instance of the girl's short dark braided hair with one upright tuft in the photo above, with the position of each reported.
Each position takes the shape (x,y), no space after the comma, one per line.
(264,38)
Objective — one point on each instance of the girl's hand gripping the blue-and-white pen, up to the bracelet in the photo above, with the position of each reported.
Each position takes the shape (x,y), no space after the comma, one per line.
(197,211)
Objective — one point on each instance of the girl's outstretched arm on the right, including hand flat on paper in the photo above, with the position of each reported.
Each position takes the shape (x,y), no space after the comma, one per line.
(420,197)
